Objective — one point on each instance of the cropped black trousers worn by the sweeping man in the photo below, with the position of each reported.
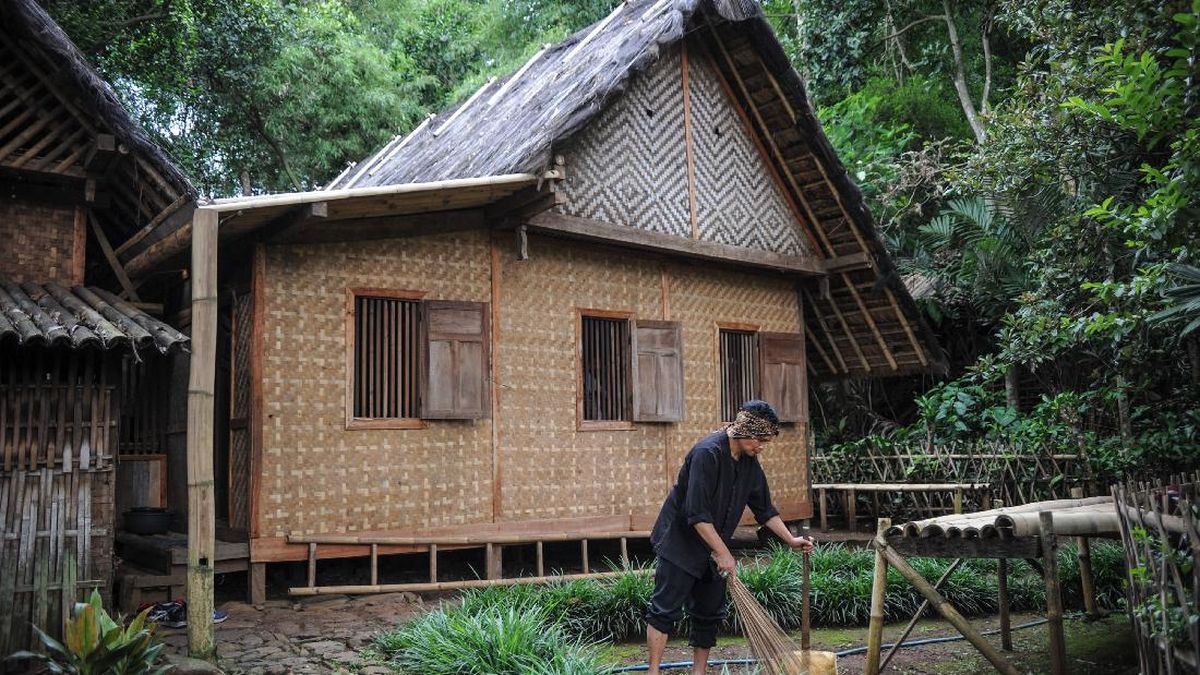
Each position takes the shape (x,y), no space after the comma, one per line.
(704,598)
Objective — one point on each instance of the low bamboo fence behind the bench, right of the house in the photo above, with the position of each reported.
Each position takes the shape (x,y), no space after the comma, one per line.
(1017,476)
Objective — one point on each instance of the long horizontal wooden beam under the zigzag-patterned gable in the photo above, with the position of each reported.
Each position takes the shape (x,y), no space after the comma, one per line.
(625,236)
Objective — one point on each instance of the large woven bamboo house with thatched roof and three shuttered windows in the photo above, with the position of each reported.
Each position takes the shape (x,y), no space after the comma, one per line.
(519,318)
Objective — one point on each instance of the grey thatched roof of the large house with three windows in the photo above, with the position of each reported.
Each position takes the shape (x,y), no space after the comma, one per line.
(861,322)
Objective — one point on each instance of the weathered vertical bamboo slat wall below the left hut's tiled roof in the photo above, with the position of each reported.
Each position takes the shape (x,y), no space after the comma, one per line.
(58,449)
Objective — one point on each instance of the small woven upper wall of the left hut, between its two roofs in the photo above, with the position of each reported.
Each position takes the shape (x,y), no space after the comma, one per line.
(40,243)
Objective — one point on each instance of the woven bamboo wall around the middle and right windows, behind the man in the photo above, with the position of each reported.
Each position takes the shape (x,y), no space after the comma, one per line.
(550,470)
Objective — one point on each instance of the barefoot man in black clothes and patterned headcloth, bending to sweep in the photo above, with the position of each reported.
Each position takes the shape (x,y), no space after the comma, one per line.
(719,479)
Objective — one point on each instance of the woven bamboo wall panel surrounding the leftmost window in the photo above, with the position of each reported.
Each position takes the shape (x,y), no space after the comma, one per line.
(320,477)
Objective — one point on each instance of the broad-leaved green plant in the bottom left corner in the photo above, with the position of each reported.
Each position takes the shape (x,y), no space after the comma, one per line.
(95,644)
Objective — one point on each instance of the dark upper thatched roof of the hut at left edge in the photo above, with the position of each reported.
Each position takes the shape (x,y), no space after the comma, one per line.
(142,181)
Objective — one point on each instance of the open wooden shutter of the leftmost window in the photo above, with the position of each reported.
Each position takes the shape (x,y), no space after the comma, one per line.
(455,379)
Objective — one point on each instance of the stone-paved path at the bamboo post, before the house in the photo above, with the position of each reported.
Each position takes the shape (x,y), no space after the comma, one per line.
(322,635)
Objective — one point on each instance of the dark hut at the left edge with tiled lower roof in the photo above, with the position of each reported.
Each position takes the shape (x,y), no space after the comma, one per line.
(80,437)
